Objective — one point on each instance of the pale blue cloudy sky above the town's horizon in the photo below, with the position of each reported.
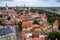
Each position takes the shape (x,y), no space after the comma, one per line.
(31,3)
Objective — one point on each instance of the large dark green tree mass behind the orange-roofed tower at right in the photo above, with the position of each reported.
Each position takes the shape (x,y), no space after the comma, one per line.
(52,16)
